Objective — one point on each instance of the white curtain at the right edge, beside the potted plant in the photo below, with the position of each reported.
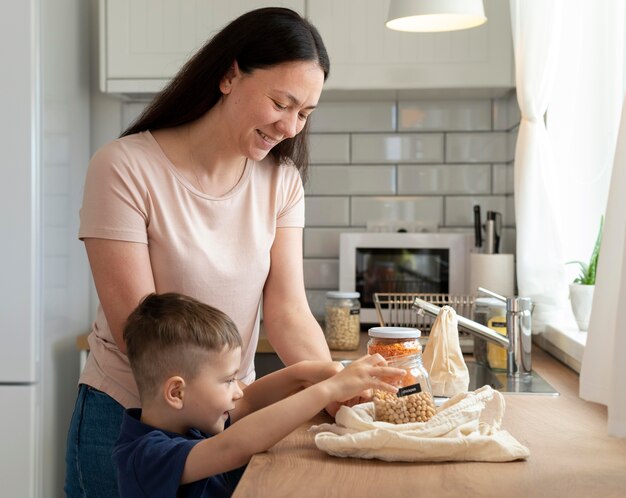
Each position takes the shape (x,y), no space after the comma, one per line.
(601,377)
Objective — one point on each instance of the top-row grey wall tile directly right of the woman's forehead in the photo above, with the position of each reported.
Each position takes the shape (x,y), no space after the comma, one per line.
(354,117)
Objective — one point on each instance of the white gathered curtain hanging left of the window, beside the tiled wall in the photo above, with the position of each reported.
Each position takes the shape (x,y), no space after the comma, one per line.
(536,26)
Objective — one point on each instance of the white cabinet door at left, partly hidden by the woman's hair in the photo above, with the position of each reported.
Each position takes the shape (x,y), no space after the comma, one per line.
(143,43)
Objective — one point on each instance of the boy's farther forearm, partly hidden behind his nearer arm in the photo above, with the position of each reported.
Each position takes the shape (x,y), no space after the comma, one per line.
(282,383)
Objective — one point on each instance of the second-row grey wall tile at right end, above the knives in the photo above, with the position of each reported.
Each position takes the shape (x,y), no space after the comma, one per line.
(477,147)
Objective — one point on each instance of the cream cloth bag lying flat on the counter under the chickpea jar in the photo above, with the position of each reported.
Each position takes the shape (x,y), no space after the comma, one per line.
(466,428)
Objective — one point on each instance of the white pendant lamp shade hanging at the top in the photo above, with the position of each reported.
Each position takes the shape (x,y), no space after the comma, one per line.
(435,15)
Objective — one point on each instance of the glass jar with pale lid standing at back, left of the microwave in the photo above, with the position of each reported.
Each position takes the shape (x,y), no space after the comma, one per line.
(342,327)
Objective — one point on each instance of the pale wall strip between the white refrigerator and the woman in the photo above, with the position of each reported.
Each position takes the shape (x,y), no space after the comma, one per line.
(66,277)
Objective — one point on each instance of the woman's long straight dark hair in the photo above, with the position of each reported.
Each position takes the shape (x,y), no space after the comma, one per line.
(259,39)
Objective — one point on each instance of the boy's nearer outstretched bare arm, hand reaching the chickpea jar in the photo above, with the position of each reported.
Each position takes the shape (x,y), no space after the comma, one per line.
(262,429)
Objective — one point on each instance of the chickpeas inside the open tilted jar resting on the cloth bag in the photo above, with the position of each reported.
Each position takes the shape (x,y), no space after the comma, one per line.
(418,407)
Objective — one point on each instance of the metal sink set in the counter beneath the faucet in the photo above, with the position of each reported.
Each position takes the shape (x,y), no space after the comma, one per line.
(532,383)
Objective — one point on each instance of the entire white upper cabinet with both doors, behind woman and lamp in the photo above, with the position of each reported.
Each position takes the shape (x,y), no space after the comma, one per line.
(143,43)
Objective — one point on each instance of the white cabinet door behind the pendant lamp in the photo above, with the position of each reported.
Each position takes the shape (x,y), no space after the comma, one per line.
(366,55)
